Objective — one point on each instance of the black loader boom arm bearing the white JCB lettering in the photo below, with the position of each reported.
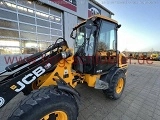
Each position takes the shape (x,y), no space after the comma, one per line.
(16,82)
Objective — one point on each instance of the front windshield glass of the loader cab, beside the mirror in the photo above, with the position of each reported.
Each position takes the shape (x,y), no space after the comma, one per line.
(85,39)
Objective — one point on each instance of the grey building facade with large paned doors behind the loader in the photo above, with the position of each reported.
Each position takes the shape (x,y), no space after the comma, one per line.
(27,27)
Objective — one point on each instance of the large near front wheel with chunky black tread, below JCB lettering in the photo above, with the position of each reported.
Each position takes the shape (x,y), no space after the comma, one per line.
(48,101)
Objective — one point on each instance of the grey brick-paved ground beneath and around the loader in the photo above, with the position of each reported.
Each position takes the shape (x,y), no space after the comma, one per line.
(140,100)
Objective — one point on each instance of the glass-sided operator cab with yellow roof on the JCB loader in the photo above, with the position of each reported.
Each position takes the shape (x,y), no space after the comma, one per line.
(95,45)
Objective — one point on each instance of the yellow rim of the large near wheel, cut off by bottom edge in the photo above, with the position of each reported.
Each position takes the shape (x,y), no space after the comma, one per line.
(57,115)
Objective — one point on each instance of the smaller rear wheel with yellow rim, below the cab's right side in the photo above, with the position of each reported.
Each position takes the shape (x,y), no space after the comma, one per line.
(116,86)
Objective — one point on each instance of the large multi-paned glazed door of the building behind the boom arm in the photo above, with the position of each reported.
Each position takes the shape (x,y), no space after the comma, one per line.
(27,27)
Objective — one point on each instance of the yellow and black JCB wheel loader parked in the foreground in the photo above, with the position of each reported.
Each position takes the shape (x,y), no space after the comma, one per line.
(49,78)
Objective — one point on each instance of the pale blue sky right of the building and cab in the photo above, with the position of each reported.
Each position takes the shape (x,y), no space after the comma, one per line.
(140,20)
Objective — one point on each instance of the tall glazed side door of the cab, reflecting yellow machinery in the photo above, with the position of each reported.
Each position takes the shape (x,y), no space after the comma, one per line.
(106,52)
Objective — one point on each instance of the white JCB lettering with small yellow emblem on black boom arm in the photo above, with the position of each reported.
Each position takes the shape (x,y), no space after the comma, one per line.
(28,79)
